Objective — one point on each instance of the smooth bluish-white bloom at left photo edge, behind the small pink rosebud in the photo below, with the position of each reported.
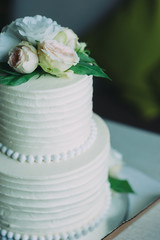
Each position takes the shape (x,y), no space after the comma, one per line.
(7,42)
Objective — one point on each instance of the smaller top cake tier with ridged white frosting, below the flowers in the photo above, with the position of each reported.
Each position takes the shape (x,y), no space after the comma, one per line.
(46,115)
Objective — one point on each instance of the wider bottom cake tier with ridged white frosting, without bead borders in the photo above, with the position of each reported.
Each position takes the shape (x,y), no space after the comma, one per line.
(52,198)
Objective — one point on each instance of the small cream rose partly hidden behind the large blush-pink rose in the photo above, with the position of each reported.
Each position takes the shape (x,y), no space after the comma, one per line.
(67,37)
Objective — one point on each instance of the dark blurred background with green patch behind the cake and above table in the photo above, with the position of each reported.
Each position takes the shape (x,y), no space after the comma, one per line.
(124,37)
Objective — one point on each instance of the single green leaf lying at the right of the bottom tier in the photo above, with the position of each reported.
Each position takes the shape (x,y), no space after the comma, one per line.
(121,186)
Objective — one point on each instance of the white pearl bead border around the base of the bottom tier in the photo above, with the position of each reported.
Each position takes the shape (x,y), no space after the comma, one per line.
(72,235)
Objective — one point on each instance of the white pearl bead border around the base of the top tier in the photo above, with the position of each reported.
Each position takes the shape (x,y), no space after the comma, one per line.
(53,157)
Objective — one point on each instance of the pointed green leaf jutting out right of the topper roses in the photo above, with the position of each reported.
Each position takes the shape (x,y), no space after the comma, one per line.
(86,68)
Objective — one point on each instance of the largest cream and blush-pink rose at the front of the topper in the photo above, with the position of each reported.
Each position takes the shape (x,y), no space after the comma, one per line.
(55,57)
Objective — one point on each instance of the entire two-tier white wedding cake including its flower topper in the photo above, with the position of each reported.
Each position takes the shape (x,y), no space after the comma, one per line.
(54,152)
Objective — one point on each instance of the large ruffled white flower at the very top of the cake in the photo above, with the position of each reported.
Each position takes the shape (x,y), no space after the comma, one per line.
(33,29)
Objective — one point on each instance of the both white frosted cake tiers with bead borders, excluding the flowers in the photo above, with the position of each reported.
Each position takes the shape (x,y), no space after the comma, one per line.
(54,165)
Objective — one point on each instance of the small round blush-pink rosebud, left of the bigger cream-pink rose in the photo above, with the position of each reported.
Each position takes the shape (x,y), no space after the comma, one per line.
(23,58)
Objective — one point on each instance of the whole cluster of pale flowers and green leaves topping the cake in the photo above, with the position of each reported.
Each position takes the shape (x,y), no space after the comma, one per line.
(38,45)
